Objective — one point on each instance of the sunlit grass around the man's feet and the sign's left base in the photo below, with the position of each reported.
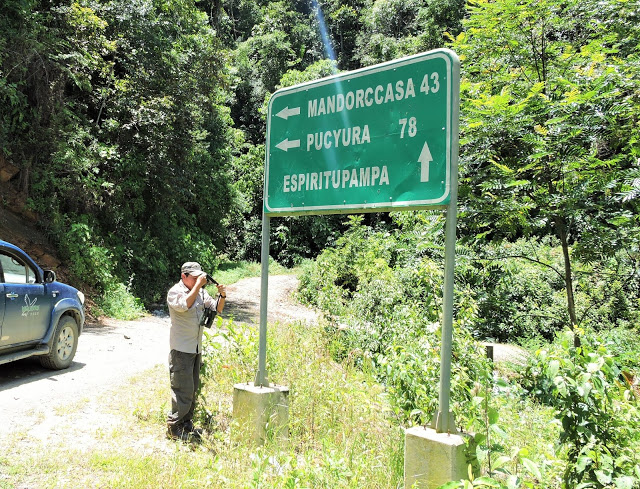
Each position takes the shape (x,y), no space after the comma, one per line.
(341,432)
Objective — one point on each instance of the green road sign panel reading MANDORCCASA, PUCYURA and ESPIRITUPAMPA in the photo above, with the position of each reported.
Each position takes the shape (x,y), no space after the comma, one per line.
(380,138)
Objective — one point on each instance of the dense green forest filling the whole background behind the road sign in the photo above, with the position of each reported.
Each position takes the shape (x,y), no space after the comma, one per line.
(137,129)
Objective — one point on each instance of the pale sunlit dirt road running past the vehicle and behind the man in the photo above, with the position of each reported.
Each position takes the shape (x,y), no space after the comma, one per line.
(32,398)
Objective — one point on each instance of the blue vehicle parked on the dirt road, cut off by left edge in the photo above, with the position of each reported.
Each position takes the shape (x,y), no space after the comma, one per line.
(38,316)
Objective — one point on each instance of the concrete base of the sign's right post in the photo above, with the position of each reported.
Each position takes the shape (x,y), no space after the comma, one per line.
(432,459)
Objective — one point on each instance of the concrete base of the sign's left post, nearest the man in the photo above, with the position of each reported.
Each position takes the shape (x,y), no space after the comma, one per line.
(260,413)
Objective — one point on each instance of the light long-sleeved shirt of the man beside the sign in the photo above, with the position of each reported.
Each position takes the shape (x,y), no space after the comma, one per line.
(185,334)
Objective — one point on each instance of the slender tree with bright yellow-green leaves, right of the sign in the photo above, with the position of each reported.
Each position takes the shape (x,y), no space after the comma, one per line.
(549,124)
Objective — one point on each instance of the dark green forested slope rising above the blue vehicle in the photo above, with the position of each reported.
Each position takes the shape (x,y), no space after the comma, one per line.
(120,117)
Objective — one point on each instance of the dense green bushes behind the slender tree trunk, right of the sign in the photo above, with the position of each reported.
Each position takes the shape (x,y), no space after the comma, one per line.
(519,290)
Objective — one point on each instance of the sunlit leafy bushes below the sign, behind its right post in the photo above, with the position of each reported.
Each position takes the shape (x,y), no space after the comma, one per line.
(386,301)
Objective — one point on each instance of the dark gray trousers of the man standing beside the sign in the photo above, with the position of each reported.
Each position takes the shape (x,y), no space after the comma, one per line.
(184,371)
